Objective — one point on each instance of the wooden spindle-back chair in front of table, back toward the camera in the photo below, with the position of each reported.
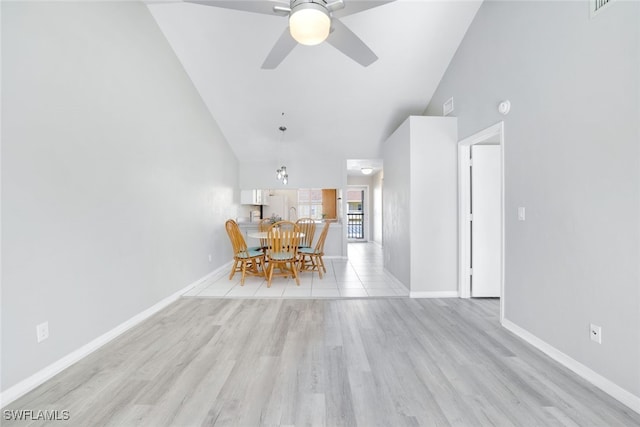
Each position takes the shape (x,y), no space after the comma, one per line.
(282,251)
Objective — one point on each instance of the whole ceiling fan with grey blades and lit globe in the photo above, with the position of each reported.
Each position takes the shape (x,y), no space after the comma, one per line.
(310,22)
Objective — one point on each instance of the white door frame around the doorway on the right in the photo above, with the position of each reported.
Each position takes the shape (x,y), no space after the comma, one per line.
(495,134)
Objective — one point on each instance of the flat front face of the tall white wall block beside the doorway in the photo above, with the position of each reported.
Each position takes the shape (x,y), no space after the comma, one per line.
(434,206)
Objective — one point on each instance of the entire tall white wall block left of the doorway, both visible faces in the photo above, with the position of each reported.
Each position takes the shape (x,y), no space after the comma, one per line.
(420,206)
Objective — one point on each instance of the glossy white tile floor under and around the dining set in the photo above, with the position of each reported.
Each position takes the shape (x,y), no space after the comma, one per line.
(361,276)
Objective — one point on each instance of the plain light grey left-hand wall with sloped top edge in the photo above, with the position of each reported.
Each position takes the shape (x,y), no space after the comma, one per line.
(116,181)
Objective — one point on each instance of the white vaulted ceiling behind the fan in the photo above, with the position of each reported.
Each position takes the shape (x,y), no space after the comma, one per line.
(331,104)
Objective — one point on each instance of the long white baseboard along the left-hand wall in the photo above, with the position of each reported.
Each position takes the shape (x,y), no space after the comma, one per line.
(30,383)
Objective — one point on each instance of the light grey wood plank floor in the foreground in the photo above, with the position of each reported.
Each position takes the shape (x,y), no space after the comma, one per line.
(366,362)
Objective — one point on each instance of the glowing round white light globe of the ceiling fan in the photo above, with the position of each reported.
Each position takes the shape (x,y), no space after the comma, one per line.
(309,24)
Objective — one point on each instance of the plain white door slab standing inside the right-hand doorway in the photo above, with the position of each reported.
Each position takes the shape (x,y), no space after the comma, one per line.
(485,224)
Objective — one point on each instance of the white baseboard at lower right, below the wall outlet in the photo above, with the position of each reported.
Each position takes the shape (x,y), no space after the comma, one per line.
(606,385)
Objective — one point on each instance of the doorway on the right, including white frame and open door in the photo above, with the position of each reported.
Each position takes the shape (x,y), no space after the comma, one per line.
(481,233)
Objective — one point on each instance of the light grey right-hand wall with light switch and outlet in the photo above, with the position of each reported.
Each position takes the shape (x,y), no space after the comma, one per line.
(572,158)
